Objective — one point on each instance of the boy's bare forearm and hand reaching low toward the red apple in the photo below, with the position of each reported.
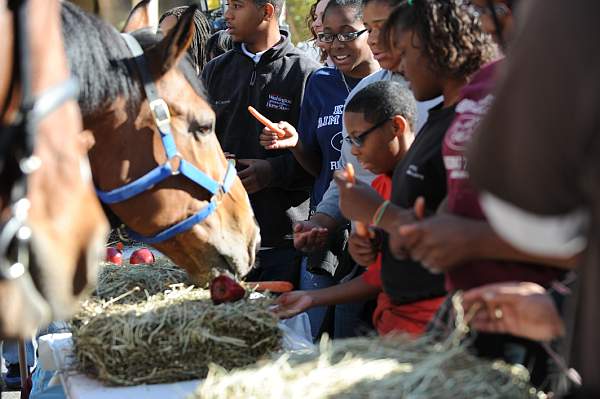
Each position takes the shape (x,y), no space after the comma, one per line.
(295,302)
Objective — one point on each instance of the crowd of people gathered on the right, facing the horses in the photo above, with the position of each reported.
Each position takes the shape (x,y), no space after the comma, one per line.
(418,96)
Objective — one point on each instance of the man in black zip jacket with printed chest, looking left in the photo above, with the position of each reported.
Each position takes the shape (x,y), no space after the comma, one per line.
(266,71)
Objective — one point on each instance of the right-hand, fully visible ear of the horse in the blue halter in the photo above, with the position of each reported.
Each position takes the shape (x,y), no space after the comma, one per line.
(176,42)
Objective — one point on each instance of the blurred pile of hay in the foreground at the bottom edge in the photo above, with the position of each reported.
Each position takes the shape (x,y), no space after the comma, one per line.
(392,367)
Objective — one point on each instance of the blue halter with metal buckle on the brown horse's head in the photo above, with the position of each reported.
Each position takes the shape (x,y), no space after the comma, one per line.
(162,118)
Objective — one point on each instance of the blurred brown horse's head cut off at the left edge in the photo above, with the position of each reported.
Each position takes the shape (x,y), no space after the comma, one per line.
(52,228)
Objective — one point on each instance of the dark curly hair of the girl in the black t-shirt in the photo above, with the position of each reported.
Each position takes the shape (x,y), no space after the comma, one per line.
(449,31)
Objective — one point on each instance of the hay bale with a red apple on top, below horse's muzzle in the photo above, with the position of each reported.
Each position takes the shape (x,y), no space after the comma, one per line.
(170,337)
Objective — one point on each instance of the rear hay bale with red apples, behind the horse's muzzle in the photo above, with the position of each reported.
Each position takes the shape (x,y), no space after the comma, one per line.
(114,280)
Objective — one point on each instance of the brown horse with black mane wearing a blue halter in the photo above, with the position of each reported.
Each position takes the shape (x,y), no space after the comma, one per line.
(146,115)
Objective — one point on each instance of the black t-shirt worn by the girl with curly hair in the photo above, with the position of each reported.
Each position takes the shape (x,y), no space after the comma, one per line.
(420,173)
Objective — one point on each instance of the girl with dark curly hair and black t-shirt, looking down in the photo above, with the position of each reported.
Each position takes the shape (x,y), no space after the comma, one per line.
(437,45)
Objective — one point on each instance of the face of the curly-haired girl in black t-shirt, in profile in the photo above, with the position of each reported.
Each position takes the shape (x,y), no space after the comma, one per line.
(415,66)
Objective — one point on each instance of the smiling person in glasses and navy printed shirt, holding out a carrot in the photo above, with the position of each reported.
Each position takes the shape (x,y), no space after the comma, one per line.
(317,142)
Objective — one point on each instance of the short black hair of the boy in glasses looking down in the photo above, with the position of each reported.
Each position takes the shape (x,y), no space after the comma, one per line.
(382,100)
